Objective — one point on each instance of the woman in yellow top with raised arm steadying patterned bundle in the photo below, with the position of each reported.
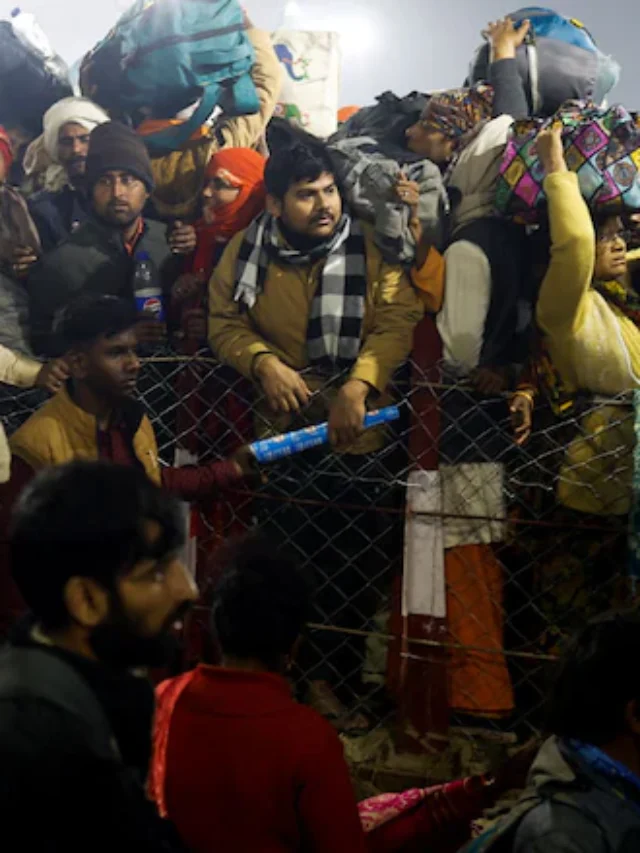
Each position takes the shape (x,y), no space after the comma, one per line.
(589,317)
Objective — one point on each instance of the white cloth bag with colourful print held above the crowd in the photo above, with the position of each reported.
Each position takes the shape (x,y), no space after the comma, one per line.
(311,83)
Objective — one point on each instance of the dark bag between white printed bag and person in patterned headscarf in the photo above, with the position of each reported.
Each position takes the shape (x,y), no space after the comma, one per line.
(387,122)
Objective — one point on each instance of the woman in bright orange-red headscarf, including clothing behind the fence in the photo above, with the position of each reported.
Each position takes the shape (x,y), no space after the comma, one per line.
(215,411)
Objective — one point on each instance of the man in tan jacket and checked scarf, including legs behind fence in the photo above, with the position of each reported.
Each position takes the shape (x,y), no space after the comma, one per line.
(303,304)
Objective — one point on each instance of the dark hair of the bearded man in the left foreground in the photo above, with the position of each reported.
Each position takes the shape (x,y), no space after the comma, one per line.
(86,519)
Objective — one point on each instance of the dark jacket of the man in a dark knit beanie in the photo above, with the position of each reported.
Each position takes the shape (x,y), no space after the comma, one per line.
(93,260)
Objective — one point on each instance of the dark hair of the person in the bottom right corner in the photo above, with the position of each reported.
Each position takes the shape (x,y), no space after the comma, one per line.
(592,688)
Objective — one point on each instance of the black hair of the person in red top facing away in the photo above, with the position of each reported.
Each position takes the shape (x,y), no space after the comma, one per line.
(261,602)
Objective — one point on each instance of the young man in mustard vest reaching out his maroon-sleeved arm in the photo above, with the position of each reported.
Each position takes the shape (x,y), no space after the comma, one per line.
(97,417)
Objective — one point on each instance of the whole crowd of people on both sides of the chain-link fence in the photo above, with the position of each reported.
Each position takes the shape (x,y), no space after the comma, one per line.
(113,252)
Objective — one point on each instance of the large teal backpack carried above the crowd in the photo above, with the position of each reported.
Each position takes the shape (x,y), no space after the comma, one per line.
(164,55)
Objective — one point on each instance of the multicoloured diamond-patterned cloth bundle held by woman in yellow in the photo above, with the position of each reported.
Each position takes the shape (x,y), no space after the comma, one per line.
(601,146)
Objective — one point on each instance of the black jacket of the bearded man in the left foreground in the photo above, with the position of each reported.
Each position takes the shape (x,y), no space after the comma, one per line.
(74,747)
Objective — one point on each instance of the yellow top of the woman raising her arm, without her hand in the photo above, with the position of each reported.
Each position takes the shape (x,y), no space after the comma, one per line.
(595,348)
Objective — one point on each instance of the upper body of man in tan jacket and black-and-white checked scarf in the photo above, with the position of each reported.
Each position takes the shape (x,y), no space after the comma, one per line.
(306,289)
